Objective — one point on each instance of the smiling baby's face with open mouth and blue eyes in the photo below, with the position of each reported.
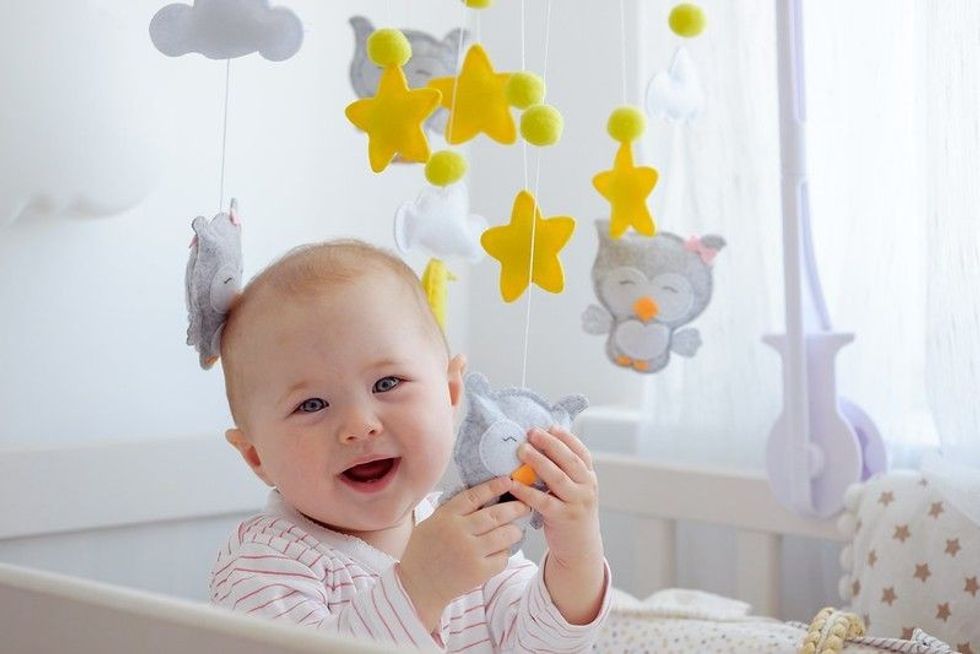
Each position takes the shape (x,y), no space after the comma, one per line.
(349,403)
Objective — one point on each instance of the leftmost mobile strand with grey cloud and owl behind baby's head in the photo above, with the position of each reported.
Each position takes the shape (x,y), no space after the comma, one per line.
(220,29)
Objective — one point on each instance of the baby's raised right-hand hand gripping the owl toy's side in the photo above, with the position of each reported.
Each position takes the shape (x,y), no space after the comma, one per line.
(571,510)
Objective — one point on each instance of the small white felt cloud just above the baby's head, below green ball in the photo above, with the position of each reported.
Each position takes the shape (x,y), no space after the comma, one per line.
(439,223)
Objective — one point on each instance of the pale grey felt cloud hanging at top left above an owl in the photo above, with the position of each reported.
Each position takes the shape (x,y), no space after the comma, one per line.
(225,29)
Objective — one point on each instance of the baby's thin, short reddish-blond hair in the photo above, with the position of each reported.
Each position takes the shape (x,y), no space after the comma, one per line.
(312,267)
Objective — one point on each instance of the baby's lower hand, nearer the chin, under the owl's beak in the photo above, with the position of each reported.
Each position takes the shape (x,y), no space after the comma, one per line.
(459,547)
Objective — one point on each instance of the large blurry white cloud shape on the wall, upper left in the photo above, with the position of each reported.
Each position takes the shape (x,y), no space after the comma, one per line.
(83,131)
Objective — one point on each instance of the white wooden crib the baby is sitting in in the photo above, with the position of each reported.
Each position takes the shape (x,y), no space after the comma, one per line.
(114,502)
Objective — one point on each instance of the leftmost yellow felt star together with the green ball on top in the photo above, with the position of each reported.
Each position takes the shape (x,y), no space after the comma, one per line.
(393,117)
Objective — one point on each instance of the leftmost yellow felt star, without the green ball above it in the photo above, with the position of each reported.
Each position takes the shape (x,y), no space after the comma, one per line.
(393,119)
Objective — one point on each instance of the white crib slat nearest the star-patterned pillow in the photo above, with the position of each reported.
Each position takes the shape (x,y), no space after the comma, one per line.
(757,557)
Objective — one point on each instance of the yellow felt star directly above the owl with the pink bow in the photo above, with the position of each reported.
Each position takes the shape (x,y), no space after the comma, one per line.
(626,187)
